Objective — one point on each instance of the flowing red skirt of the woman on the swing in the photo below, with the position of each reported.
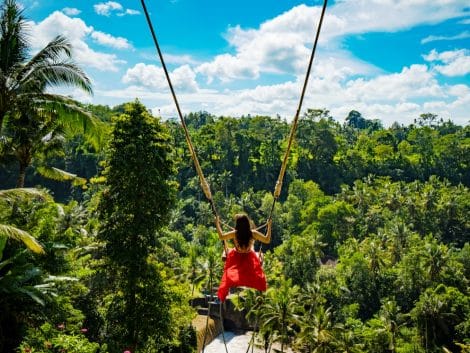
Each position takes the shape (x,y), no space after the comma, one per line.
(242,269)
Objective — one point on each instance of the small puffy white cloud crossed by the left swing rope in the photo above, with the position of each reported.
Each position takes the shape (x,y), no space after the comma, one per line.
(183,78)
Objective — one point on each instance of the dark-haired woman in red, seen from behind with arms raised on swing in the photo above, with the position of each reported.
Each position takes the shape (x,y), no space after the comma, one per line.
(242,265)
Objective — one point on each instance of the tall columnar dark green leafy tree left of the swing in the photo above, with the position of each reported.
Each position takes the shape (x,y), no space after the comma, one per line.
(134,206)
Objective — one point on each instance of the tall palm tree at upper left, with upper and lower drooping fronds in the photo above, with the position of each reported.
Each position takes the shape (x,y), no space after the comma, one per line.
(29,115)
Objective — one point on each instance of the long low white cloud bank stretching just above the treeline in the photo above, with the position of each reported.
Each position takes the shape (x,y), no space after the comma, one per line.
(392,97)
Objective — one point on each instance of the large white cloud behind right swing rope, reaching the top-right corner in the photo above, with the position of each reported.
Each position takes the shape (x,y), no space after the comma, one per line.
(283,44)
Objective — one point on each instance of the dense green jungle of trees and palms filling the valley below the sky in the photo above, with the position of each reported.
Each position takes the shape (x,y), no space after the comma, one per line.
(106,237)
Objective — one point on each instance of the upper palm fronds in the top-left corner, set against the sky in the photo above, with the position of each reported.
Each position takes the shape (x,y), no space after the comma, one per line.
(26,81)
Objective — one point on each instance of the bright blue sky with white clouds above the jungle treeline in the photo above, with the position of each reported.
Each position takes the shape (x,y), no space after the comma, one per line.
(388,59)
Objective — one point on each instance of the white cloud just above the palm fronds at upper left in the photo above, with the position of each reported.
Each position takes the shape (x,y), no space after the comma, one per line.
(76,30)
